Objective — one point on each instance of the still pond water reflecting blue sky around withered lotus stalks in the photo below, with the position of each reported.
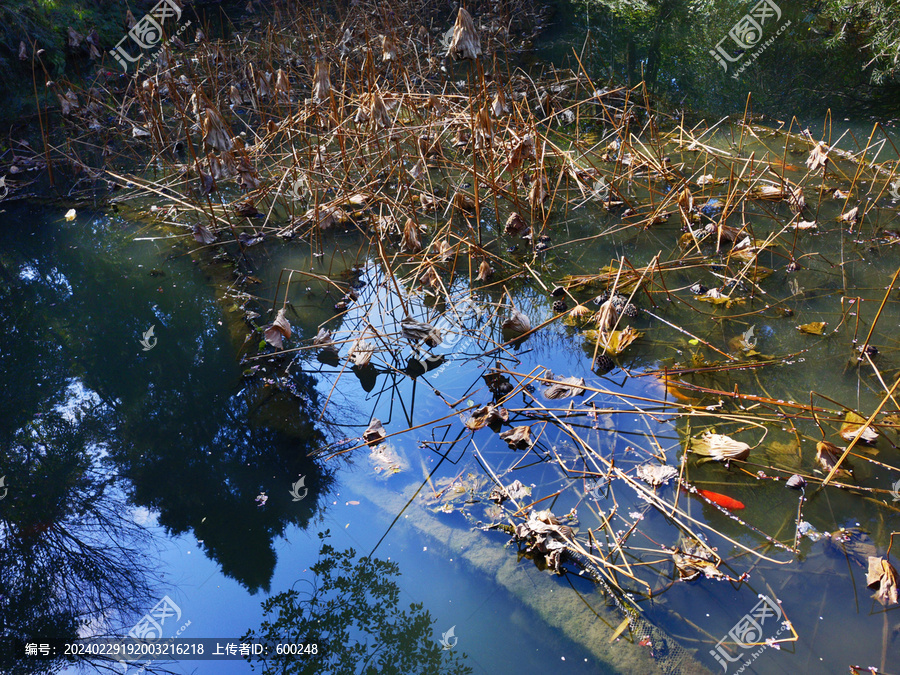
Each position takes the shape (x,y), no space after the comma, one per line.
(232,460)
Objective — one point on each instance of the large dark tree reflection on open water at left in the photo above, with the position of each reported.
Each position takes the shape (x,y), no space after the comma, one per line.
(95,428)
